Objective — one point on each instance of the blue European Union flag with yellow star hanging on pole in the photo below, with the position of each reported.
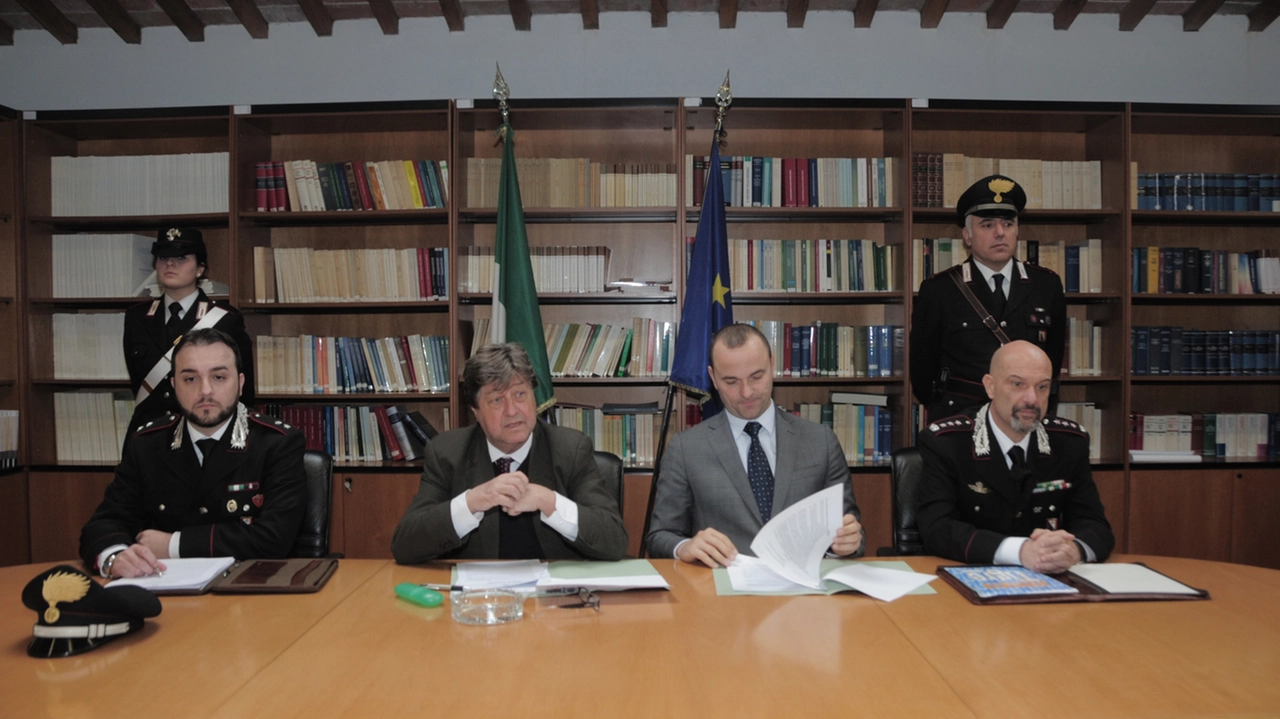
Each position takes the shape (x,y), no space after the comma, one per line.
(708,304)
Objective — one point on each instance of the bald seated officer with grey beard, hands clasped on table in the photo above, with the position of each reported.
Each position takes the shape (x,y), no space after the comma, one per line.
(1004,486)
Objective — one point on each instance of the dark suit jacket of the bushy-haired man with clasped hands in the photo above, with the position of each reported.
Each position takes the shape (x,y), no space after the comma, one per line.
(561,460)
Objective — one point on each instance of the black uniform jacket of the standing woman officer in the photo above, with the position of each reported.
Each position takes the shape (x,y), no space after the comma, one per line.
(147,342)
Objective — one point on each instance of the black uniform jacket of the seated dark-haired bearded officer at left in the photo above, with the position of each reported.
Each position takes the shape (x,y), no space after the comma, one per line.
(244,503)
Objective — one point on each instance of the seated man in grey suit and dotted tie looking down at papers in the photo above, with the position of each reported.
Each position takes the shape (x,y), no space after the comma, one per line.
(724,479)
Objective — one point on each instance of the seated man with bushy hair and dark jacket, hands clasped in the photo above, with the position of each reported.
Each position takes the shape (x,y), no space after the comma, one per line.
(510,487)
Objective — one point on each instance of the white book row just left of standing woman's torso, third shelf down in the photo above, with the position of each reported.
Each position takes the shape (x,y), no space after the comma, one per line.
(88,347)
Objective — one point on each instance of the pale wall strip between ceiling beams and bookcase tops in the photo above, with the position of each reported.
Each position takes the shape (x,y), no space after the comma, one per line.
(627,58)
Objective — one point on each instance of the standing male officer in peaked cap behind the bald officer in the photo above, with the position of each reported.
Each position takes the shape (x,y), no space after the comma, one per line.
(964,314)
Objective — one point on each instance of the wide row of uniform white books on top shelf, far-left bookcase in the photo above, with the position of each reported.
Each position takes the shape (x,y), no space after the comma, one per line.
(139,185)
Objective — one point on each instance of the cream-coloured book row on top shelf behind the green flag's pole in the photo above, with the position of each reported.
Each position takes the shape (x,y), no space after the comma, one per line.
(575,182)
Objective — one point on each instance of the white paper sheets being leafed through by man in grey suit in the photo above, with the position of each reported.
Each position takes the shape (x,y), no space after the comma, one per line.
(790,558)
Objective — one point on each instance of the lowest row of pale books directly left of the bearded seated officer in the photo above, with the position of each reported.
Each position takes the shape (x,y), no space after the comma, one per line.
(92,427)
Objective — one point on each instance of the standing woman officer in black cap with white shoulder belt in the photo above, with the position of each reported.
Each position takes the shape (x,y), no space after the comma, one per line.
(152,329)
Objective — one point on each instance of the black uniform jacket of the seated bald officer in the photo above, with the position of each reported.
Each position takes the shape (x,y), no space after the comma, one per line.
(970,501)
